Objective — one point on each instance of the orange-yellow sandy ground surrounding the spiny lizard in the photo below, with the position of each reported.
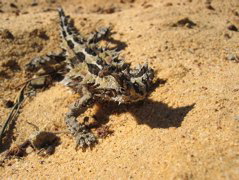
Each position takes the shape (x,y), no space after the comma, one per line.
(188,129)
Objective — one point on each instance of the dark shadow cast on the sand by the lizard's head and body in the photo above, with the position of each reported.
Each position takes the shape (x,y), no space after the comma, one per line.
(152,113)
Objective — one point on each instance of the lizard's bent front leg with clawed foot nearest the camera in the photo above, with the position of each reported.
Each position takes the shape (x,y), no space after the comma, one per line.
(83,135)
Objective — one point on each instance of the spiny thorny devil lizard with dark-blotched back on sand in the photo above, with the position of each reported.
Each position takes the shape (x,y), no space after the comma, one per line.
(97,73)
